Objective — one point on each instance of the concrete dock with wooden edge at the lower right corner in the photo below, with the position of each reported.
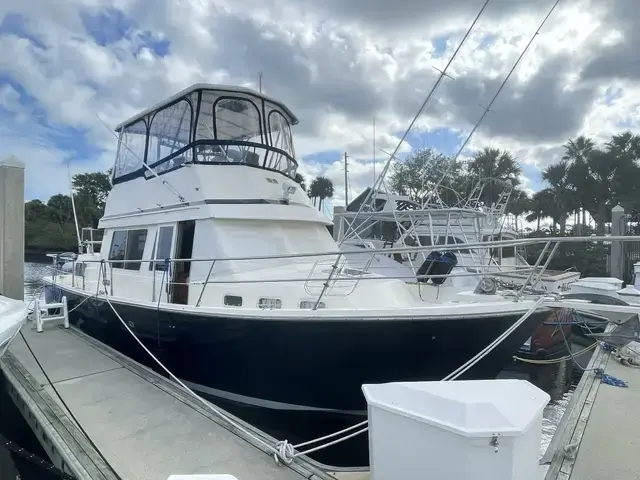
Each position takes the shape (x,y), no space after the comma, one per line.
(599,436)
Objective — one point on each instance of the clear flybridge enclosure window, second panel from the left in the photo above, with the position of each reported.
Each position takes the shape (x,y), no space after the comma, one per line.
(169,134)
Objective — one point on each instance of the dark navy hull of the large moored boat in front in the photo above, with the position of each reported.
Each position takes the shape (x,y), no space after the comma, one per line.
(297,379)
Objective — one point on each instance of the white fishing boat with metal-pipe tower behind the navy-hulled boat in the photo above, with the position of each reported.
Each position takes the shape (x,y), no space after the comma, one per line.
(394,219)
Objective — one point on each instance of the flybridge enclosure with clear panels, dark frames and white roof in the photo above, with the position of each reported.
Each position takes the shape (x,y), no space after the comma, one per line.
(207,124)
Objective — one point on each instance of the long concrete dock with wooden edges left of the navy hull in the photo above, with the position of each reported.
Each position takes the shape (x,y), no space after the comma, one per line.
(144,426)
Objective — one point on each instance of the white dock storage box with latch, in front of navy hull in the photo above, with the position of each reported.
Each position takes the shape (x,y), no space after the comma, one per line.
(462,430)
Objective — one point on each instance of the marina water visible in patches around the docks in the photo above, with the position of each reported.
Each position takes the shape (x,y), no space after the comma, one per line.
(558,380)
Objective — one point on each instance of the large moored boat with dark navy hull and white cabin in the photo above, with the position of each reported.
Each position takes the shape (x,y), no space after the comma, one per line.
(213,257)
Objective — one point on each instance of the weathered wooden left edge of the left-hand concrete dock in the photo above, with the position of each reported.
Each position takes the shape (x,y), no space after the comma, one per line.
(66,445)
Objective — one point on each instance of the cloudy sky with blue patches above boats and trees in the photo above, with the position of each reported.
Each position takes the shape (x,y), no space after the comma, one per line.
(71,71)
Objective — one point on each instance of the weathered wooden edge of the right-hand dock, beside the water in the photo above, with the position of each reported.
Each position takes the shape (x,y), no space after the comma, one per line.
(574,420)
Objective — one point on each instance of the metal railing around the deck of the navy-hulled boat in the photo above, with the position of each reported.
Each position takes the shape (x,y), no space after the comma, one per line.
(322,281)
